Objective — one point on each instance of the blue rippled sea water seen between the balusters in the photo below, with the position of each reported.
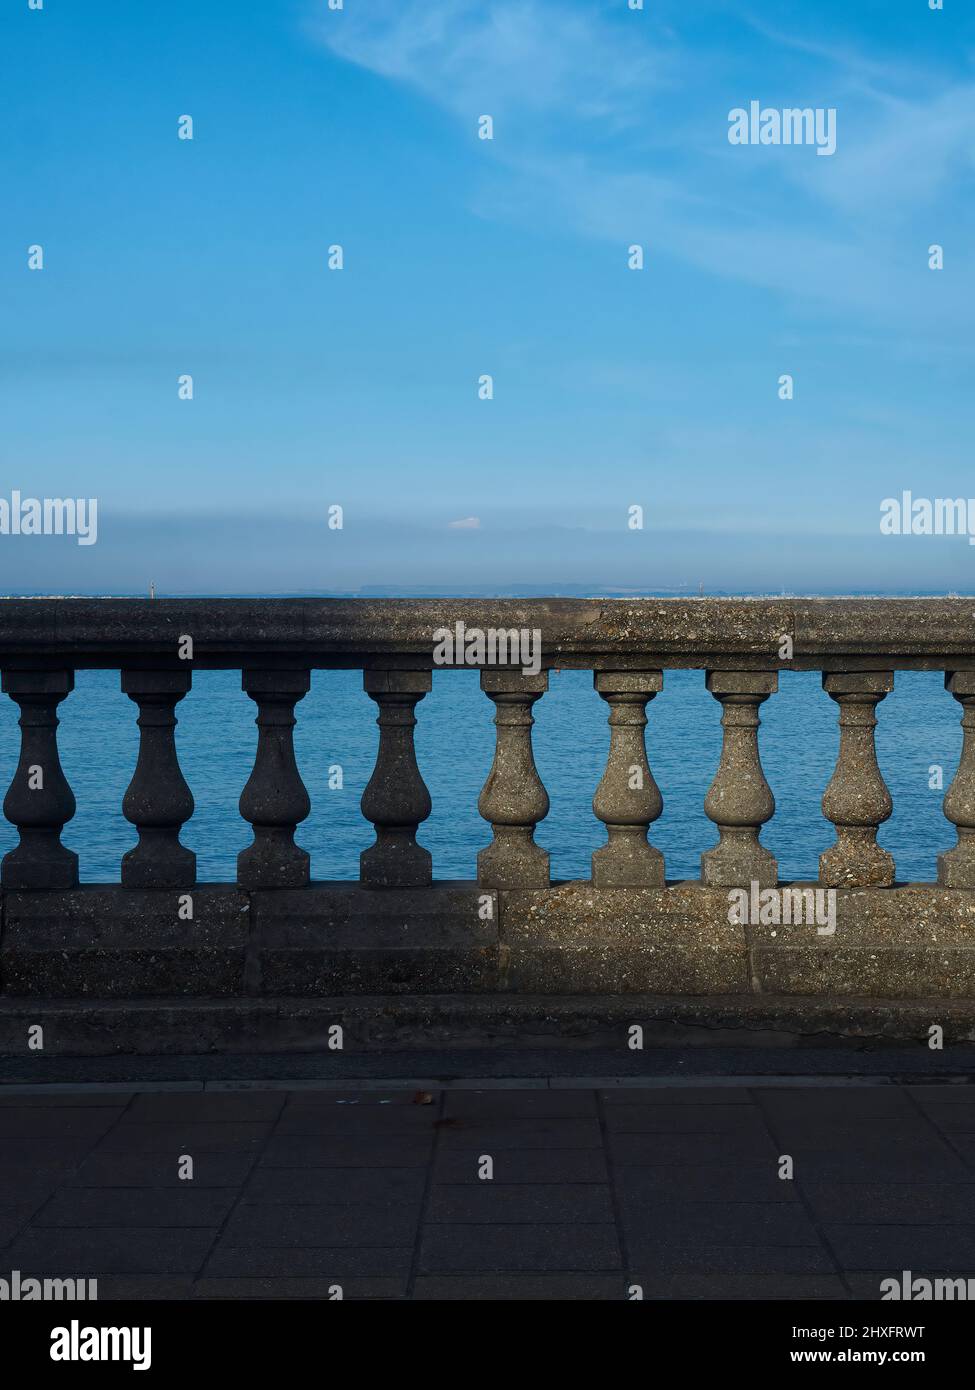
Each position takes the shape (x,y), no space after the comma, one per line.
(919,729)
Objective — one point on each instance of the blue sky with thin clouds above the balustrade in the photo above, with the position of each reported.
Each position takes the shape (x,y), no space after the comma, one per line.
(465,256)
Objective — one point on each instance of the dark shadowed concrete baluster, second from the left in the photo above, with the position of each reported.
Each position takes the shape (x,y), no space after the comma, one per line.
(158,801)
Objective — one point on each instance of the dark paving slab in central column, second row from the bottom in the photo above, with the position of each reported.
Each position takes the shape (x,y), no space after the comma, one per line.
(518,1248)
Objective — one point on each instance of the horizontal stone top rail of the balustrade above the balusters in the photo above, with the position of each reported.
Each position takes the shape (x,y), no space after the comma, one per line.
(597,635)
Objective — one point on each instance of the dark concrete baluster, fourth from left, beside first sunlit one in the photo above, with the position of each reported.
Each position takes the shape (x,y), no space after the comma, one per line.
(396,799)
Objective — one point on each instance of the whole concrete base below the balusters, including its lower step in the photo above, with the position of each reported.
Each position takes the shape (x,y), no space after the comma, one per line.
(116,971)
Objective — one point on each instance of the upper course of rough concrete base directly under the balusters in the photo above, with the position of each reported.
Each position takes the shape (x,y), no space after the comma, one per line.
(916,942)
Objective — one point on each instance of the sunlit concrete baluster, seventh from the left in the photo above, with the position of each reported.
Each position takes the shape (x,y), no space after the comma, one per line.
(741,801)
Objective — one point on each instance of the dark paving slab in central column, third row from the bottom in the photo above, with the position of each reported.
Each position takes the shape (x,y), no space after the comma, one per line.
(467,1203)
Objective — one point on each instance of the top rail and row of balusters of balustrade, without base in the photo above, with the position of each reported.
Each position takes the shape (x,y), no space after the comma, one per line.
(742,644)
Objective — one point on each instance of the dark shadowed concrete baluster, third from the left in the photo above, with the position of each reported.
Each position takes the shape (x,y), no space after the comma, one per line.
(275,800)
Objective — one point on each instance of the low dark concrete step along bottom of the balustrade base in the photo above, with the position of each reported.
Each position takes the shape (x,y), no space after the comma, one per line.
(387,1027)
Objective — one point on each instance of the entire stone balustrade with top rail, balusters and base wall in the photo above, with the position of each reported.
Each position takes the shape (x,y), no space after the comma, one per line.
(627,931)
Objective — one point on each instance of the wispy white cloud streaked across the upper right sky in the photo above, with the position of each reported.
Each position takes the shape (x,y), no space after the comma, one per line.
(599,126)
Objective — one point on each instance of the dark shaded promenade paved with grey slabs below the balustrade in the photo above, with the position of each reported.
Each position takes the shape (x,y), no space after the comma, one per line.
(672,1188)
